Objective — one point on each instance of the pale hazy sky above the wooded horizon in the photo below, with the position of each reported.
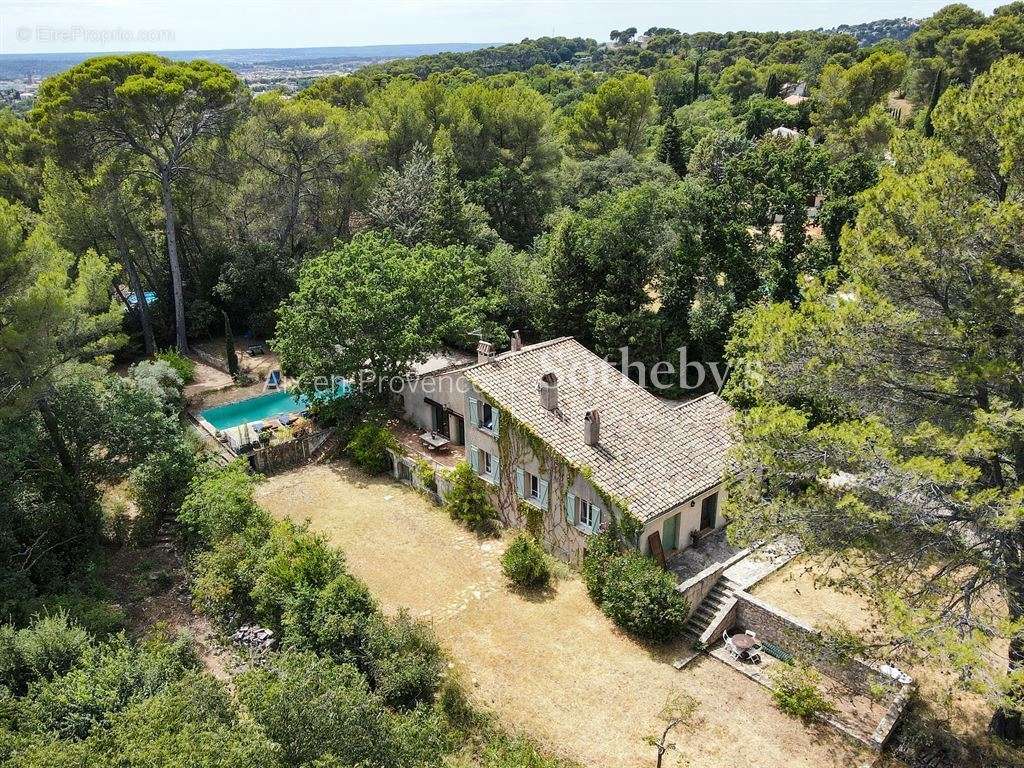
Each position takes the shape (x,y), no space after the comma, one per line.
(183,25)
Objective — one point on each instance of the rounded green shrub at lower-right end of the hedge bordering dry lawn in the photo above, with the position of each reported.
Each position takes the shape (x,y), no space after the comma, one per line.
(404,662)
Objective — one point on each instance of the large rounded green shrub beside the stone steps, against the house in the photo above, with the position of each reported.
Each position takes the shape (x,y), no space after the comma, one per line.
(642,599)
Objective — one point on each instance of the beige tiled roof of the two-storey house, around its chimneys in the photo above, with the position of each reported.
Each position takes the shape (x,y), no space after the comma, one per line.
(653,455)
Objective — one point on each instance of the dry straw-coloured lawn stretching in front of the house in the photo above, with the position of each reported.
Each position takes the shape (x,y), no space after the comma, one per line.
(553,667)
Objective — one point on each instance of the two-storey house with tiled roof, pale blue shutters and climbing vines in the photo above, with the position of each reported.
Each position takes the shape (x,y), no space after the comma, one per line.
(568,444)
